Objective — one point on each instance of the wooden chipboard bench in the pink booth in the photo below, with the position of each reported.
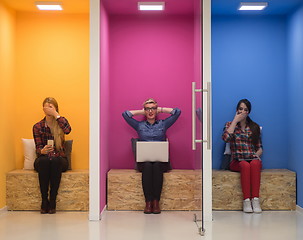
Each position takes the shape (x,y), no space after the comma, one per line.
(180,190)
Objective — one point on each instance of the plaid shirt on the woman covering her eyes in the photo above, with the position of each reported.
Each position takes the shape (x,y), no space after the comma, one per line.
(42,133)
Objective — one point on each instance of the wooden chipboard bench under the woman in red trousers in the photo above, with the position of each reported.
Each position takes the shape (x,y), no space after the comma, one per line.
(277,190)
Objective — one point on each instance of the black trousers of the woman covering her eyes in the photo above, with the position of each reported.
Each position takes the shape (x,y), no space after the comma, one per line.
(50,172)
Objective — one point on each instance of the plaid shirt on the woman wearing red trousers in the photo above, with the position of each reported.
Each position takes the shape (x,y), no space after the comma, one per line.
(241,143)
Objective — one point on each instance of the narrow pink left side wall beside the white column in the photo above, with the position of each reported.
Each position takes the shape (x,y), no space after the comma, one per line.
(104,92)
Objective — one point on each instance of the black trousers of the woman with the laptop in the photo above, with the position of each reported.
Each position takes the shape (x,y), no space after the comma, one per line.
(152,180)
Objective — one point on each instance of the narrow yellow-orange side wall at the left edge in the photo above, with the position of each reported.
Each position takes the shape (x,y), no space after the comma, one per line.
(7,127)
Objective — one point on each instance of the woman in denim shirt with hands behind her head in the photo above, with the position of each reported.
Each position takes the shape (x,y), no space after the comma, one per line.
(152,130)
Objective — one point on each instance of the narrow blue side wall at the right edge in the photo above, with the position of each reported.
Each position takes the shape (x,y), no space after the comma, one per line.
(295,81)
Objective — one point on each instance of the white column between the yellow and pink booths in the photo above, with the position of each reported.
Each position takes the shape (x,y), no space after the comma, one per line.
(94,113)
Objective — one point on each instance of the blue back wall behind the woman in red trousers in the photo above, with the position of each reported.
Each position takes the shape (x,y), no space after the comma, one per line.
(249,60)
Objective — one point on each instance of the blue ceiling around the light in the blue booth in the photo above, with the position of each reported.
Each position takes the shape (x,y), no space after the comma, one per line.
(275,7)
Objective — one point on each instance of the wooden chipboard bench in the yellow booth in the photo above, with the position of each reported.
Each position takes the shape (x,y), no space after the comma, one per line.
(23,192)
